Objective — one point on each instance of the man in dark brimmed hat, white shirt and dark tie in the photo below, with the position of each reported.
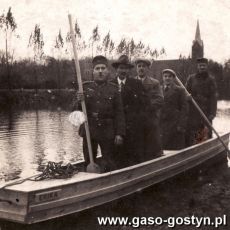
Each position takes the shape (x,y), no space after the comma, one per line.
(133,99)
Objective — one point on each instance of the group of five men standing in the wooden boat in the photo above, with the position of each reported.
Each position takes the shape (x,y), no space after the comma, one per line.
(132,118)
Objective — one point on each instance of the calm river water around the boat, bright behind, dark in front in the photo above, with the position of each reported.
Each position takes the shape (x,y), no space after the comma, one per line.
(29,139)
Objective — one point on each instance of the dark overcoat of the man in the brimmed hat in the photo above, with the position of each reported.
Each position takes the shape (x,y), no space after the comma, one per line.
(134,101)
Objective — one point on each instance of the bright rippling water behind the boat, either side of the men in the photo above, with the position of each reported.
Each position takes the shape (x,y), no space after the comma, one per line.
(29,139)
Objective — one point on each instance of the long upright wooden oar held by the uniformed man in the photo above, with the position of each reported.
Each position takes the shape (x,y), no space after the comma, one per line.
(92,167)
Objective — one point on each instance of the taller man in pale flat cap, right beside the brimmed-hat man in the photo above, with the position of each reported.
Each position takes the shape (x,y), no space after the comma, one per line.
(152,141)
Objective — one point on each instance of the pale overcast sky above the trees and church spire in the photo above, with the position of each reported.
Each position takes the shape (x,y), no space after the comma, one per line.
(160,23)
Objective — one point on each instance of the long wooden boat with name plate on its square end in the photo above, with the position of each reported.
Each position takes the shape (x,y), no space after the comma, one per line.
(36,201)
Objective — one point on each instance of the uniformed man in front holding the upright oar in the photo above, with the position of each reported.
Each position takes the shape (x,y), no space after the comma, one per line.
(105,114)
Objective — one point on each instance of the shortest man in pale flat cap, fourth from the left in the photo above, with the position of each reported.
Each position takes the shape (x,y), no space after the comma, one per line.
(174,113)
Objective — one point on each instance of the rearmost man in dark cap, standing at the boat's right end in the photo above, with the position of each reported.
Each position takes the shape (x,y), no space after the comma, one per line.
(202,87)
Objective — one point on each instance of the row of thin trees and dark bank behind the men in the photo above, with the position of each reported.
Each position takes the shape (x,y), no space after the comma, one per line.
(57,70)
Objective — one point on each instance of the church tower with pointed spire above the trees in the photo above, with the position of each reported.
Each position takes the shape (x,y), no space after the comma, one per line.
(197,46)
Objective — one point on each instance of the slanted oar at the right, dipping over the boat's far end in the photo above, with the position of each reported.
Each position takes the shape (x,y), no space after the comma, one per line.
(203,115)
